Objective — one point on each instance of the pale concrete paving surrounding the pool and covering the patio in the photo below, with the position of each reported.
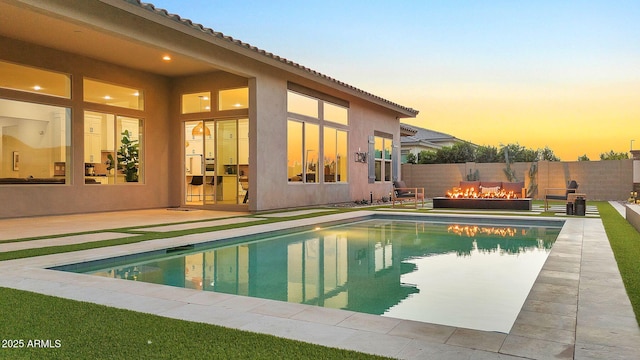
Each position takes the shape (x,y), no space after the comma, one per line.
(577,308)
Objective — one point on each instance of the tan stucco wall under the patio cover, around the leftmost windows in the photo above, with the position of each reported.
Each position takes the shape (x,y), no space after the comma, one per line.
(77,197)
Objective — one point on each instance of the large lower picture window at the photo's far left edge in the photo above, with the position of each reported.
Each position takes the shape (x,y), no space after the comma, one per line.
(35,143)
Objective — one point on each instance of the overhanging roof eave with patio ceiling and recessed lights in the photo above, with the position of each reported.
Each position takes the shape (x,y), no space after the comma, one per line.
(136,35)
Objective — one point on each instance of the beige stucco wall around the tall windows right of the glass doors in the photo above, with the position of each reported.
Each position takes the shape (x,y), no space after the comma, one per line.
(273,189)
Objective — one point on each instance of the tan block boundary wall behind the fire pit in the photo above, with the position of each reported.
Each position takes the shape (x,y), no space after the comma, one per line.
(600,180)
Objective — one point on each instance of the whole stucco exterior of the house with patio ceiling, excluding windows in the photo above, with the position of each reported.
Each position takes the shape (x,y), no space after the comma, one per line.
(206,61)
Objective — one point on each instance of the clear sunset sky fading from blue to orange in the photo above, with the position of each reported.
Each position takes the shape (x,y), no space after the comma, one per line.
(562,74)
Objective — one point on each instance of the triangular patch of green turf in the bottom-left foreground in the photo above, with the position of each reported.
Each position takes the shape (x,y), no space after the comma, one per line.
(47,327)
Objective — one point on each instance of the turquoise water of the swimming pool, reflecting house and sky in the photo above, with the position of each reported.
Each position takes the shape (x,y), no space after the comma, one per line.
(465,275)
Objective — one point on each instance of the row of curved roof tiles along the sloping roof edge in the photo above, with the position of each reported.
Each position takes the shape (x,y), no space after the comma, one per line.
(270,56)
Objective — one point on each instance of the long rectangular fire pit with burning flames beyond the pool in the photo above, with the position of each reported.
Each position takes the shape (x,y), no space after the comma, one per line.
(484,198)
